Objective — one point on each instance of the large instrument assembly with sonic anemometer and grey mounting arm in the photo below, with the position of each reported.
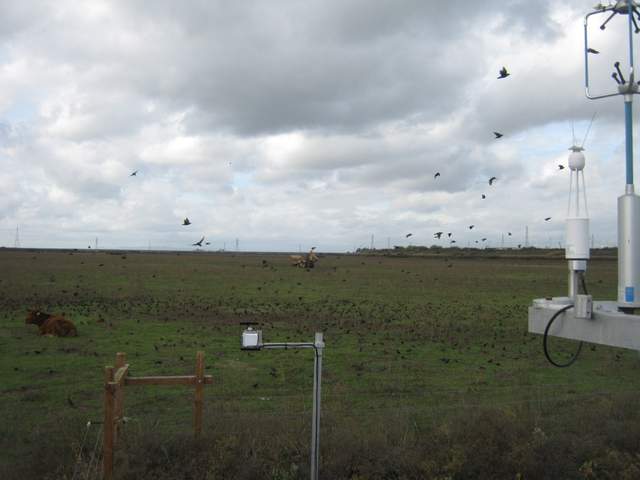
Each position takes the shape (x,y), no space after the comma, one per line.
(576,316)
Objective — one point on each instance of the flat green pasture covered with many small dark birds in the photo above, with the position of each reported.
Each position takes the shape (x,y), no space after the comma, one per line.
(420,339)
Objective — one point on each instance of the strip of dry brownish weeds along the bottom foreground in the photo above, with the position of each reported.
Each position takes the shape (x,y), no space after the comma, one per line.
(600,439)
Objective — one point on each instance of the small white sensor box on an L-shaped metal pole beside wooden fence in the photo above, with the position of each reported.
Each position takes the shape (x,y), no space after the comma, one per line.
(252,340)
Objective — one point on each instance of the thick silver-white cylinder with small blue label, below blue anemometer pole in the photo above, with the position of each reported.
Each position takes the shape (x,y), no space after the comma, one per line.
(629,251)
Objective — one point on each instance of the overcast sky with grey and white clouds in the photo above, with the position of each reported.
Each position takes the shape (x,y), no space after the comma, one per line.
(290,124)
